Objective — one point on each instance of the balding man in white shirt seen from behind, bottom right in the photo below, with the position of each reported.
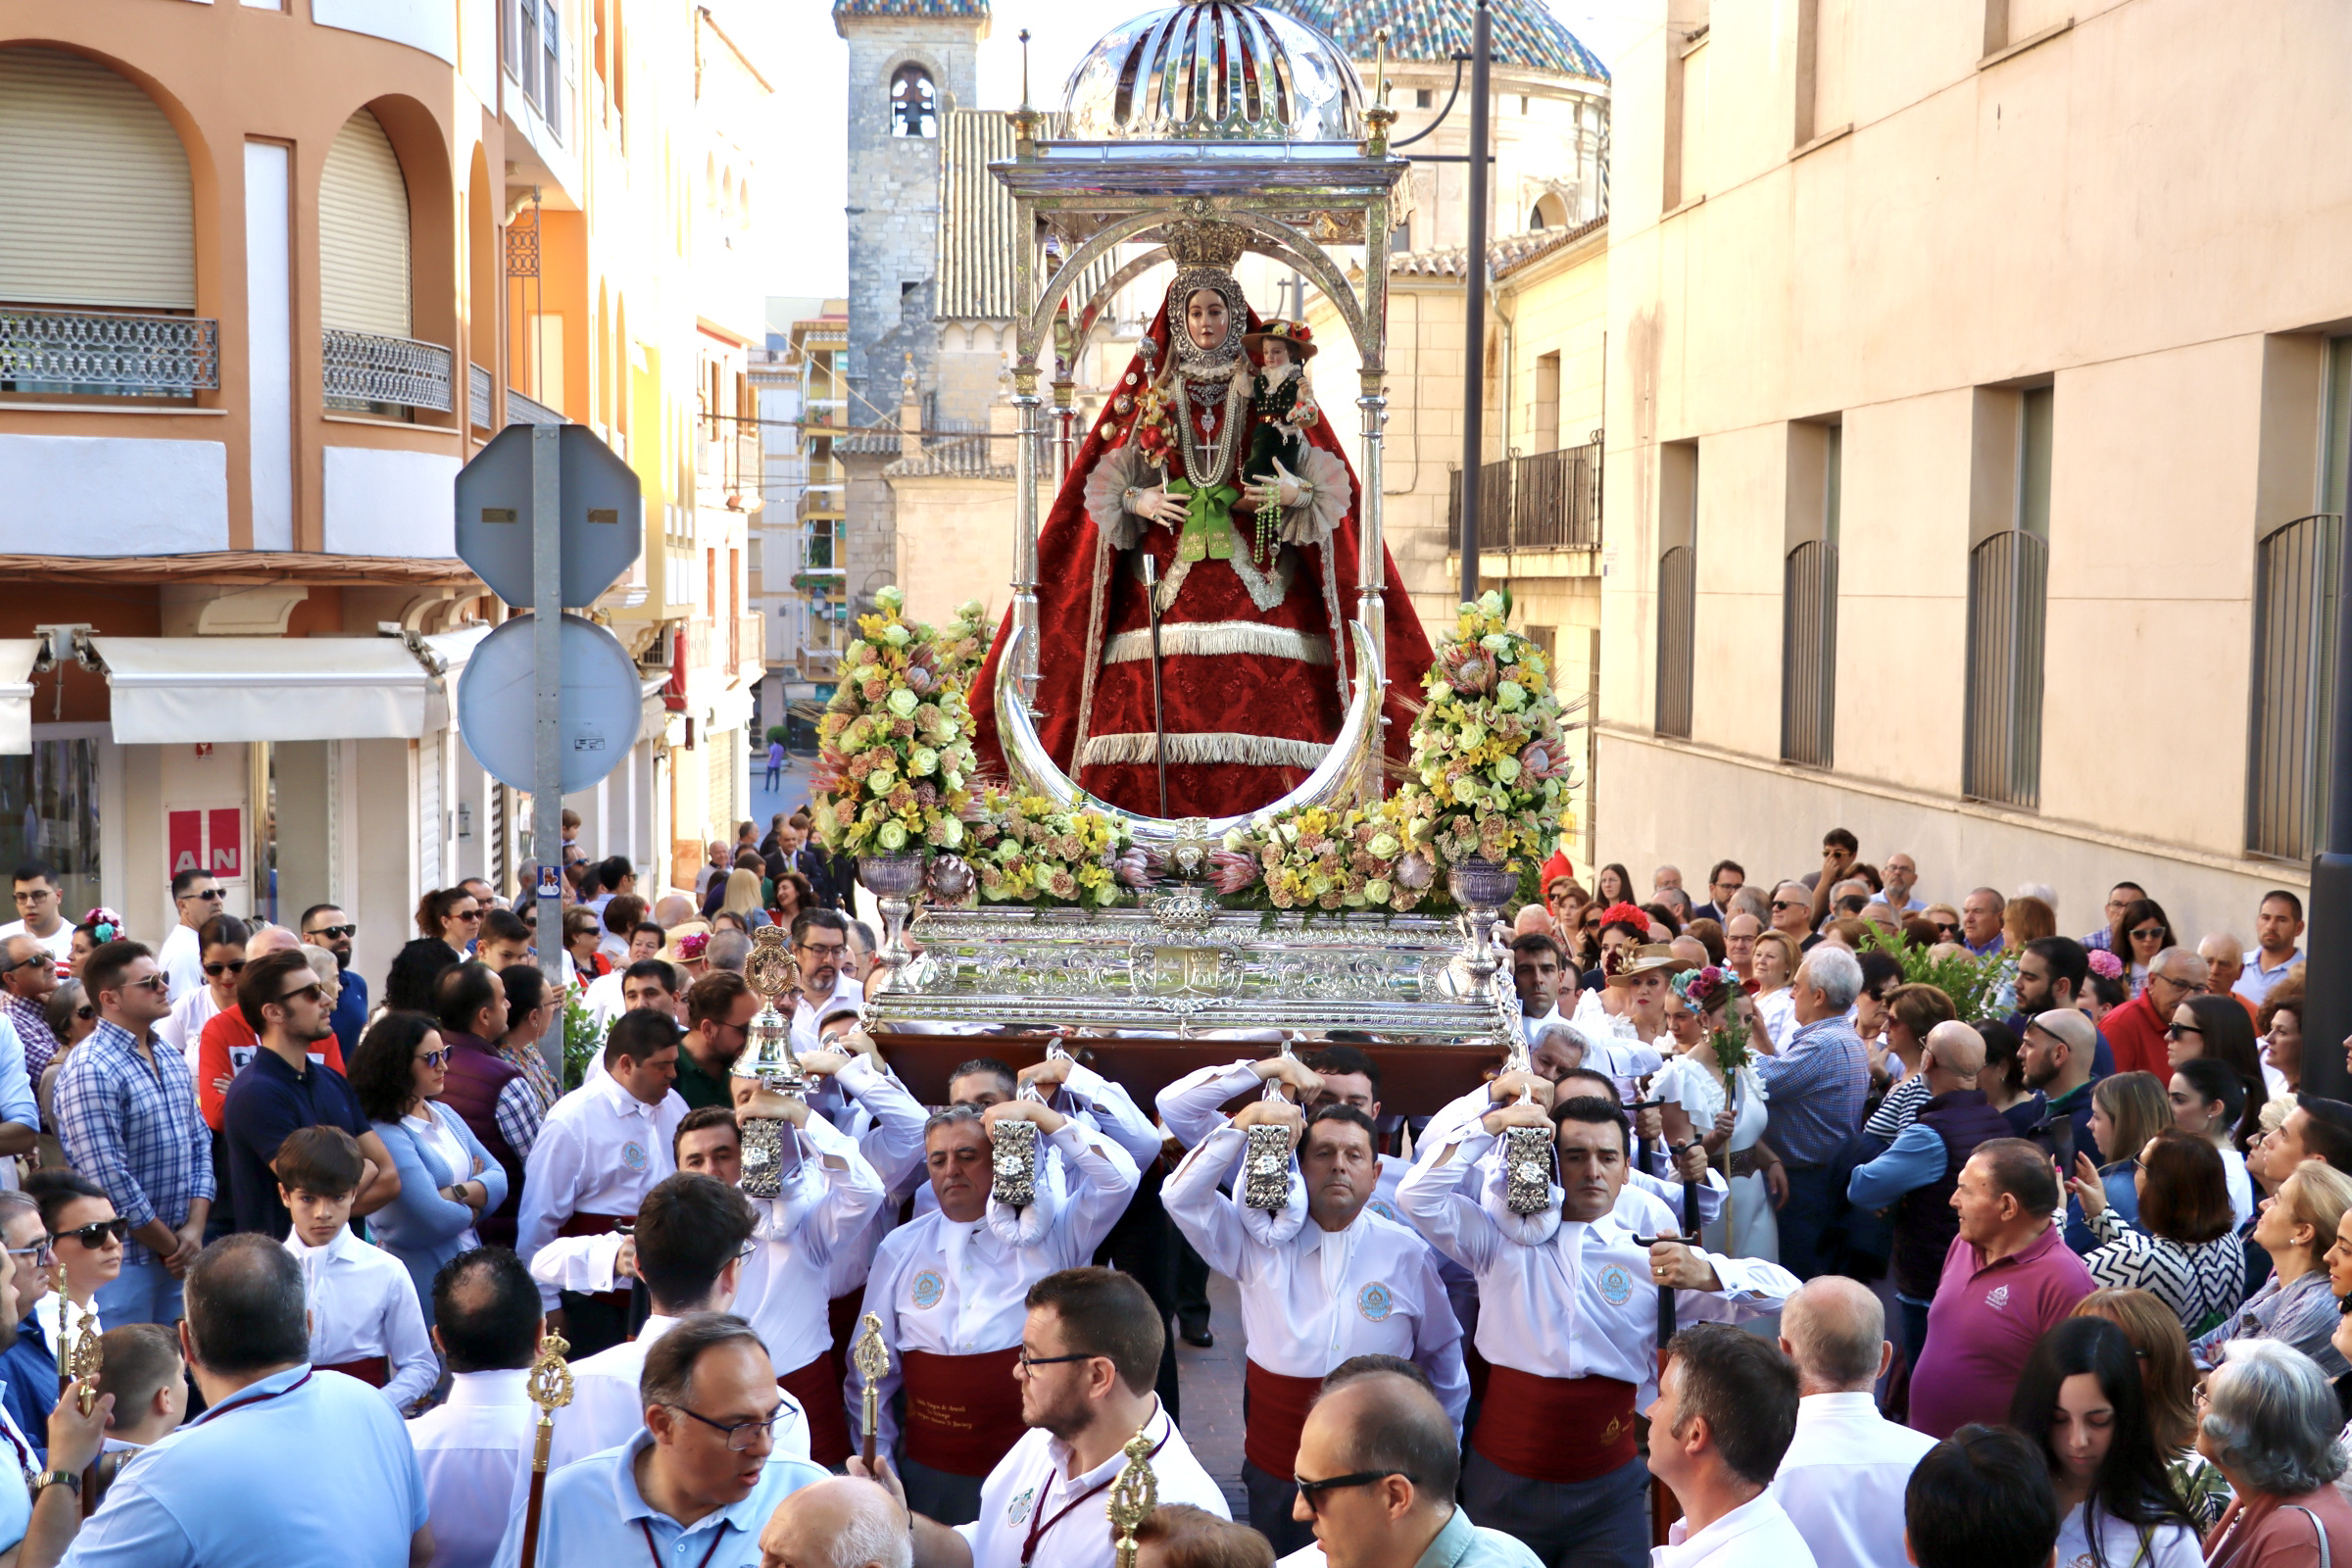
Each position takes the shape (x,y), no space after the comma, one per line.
(1845,1473)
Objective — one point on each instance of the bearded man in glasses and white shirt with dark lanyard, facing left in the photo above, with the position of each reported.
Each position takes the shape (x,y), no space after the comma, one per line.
(1090,1353)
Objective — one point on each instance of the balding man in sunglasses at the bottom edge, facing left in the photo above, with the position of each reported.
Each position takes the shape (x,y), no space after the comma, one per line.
(1377,1419)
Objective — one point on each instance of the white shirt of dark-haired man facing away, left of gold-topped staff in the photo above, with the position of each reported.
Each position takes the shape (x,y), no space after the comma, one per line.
(476,1456)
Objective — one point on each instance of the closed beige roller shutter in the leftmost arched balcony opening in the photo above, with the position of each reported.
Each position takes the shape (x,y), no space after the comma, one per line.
(93,189)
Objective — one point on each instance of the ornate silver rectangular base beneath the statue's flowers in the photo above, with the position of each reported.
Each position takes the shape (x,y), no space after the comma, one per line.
(1187,965)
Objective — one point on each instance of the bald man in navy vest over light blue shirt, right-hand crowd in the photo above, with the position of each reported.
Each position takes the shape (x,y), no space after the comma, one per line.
(1920,1167)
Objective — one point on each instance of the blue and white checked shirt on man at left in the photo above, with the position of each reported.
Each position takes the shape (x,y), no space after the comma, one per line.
(133,1127)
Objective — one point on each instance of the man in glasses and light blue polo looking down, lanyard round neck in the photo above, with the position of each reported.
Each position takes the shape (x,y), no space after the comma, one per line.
(697,1475)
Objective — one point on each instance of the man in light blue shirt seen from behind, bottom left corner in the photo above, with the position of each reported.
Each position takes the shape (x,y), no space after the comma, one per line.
(196,1499)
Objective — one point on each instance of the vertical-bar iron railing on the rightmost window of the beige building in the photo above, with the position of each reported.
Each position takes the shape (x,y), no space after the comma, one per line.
(2297,584)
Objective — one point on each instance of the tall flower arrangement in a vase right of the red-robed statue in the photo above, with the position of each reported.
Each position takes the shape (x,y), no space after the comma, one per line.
(1488,744)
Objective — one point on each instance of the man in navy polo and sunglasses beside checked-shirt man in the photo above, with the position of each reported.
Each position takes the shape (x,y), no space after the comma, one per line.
(283,1090)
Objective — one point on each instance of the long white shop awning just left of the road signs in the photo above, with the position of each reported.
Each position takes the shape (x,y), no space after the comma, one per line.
(194,690)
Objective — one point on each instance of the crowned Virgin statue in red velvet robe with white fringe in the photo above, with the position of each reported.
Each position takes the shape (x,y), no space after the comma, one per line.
(1255,575)
